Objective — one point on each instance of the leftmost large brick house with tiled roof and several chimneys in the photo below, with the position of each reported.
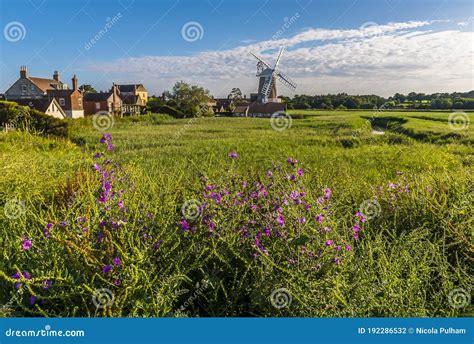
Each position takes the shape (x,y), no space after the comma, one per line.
(31,88)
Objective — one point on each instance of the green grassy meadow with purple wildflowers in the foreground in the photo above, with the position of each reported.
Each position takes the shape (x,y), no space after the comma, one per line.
(343,213)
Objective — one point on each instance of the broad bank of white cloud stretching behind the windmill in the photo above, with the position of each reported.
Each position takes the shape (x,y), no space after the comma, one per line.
(384,59)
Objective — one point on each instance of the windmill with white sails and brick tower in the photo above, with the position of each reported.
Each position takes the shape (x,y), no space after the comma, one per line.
(268,75)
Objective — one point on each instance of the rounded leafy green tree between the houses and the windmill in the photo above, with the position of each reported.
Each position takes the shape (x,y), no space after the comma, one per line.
(191,99)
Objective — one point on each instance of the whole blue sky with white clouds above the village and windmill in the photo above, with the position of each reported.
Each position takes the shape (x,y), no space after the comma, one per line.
(353,46)
